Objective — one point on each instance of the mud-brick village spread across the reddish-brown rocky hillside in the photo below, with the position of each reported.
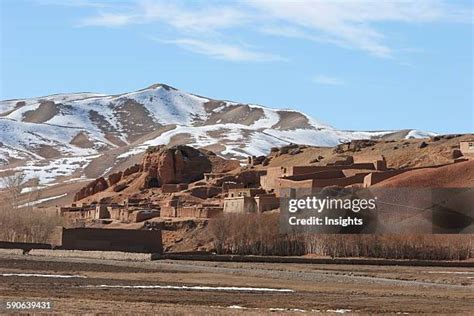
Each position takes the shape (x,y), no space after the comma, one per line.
(181,183)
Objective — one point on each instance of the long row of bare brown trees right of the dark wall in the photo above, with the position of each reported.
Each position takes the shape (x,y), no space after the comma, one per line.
(258,234)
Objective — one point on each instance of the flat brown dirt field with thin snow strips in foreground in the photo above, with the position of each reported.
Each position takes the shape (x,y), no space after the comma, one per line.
(133,284)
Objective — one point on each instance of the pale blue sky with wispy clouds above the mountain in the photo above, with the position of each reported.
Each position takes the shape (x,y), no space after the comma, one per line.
(353,64)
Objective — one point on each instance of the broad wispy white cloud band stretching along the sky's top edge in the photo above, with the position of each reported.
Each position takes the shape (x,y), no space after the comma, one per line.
(354,24)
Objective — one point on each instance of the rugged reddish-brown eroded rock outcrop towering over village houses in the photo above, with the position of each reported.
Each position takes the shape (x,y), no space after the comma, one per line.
(161,165)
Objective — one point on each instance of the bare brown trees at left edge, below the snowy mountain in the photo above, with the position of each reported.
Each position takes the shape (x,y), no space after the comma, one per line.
(19,220)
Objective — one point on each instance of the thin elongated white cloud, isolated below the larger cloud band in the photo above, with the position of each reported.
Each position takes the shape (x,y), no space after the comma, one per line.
(223,51)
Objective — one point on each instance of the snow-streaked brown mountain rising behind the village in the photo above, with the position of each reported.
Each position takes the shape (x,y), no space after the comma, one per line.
(69,136)
